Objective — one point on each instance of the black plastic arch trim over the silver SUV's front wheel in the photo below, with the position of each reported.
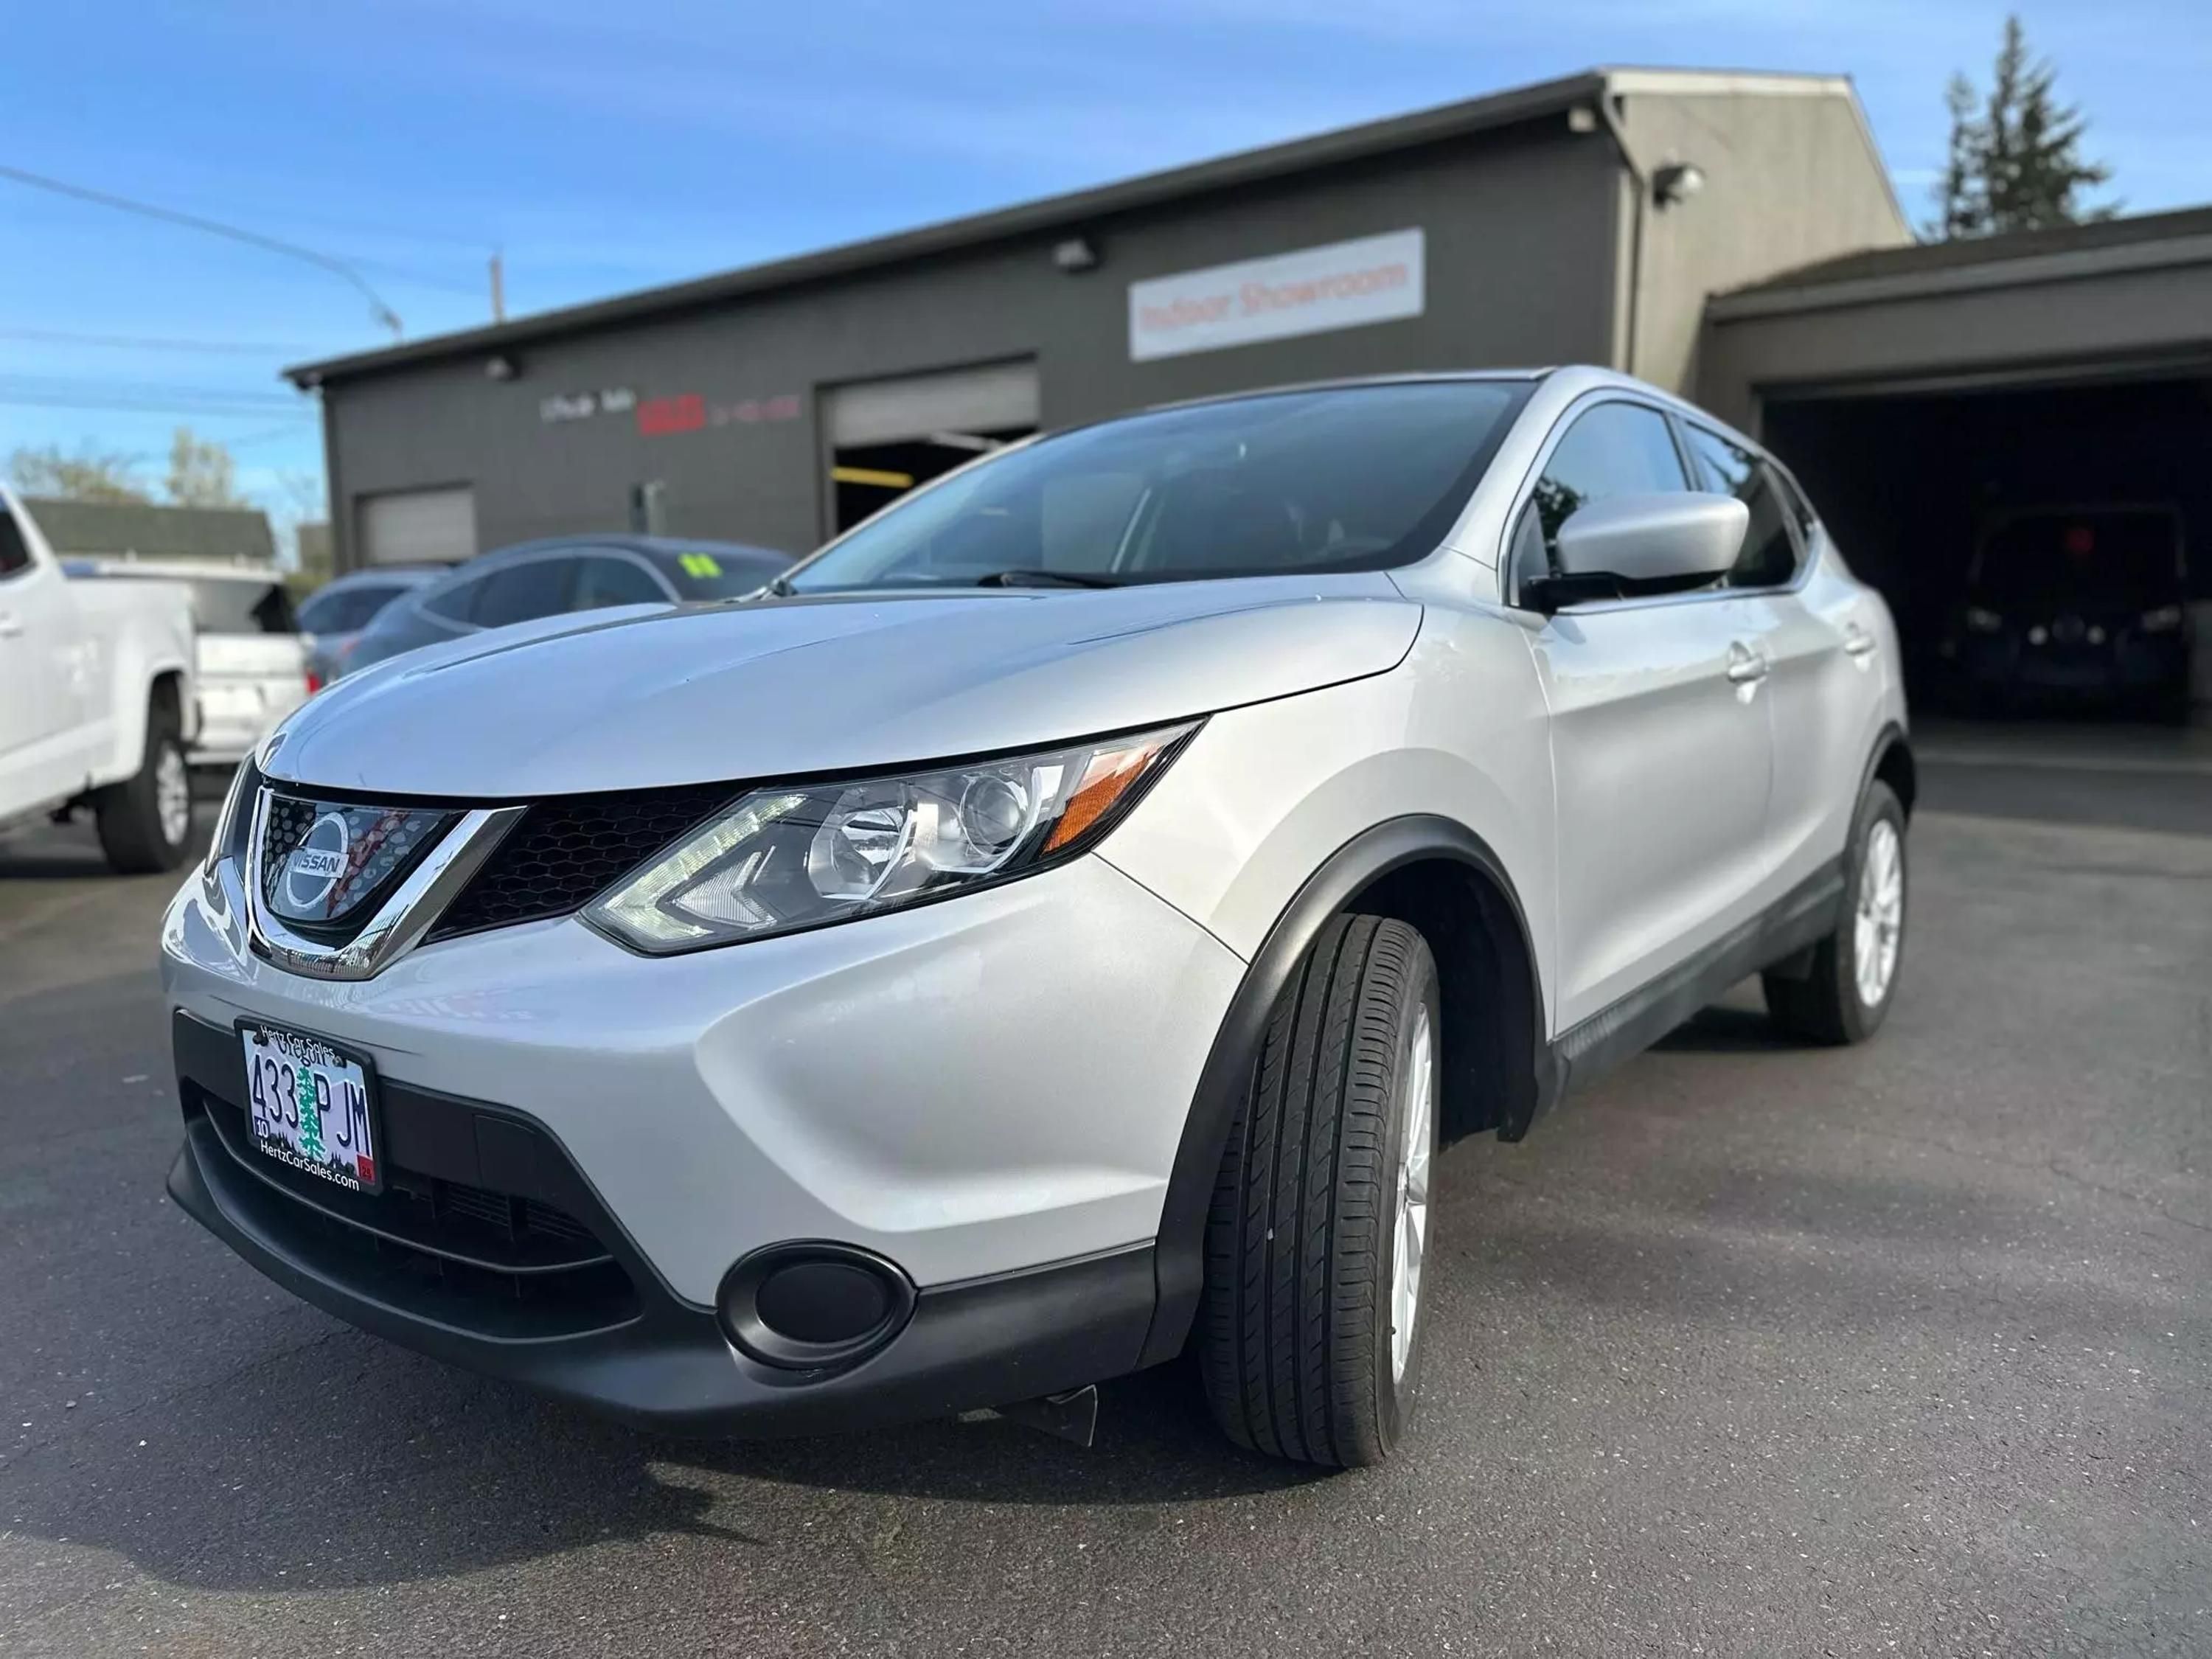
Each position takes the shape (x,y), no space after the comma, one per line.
(1373,855)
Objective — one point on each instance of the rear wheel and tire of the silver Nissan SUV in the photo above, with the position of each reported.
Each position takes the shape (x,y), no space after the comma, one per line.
(1835,1003)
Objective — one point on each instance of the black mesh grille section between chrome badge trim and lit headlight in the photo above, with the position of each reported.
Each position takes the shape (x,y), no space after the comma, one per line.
(570,851)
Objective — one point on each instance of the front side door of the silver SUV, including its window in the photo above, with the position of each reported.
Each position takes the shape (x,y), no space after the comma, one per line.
(1660,742)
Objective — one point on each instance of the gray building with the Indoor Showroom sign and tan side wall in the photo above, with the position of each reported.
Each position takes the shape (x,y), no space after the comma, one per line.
(1580,220)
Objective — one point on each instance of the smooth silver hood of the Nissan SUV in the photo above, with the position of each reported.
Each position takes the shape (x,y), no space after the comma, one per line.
(640,698)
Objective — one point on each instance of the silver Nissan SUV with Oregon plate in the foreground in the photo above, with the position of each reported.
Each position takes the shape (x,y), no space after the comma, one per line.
(1054,926)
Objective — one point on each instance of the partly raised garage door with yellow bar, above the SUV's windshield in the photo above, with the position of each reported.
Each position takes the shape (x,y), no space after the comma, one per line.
(888,437)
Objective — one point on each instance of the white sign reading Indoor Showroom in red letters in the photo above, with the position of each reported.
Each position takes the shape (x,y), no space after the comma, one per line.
(1346,284)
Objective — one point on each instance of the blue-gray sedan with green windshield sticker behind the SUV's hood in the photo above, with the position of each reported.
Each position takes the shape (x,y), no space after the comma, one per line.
(565,574)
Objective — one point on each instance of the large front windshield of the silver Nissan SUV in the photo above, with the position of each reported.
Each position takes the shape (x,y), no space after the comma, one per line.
(1348,479)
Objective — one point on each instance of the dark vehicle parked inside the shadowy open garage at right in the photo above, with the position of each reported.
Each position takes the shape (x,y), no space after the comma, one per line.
(2080,607)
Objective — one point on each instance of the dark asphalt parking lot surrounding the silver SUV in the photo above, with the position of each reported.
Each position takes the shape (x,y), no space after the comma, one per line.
(1749,1353)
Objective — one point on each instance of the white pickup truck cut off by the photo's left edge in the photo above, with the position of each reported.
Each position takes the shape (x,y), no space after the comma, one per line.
(96,700)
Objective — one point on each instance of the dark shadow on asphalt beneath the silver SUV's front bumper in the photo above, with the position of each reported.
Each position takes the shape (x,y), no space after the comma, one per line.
(340,1463)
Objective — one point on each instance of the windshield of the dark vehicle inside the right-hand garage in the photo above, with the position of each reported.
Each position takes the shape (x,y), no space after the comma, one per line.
(2072,561)
